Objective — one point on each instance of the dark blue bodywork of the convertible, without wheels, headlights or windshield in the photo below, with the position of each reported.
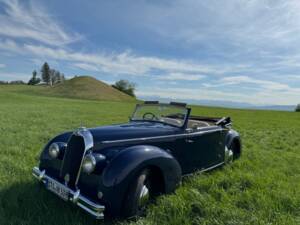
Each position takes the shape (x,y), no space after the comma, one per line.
(122,150)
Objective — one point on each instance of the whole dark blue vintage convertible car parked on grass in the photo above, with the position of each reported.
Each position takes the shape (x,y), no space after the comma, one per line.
(117,170)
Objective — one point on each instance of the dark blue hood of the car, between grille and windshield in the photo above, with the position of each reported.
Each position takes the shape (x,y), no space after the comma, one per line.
(132,130)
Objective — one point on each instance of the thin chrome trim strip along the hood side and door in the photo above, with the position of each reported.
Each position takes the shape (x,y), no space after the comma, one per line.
(164,136)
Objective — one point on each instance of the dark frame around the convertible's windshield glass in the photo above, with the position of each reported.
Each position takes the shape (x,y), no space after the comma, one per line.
(185,119)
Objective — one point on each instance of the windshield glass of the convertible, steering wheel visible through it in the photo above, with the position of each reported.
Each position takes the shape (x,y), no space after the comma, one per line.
(164,113)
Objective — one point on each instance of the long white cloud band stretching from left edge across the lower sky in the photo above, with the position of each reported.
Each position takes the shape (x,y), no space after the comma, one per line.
(122,63)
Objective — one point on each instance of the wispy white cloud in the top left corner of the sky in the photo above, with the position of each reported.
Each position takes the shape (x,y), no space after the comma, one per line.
(31,21)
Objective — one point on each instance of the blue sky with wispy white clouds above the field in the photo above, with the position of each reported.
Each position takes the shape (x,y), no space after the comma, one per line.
(232,50)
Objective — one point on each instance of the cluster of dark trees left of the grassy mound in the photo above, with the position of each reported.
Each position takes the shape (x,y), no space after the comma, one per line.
(47,75)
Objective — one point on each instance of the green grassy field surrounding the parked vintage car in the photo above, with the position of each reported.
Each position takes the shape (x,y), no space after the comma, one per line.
(263,187)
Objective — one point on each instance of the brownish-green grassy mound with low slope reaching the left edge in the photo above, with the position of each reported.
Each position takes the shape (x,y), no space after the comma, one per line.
(83,87)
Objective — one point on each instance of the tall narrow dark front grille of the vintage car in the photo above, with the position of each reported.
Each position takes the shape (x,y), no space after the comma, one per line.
(72,160)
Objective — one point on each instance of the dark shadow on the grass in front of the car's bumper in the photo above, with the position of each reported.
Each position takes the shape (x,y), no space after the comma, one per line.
(29,203)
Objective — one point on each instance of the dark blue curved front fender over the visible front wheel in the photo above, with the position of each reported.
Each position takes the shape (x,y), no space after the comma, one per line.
(123,168)
